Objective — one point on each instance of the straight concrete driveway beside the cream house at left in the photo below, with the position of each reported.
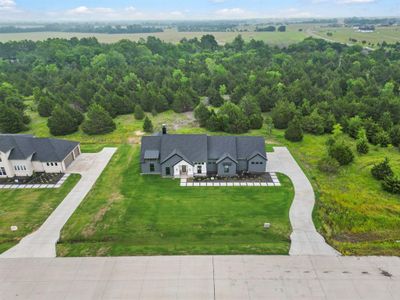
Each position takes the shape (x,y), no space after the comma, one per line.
(42,242)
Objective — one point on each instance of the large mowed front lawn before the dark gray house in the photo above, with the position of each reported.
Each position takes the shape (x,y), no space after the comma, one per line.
(130,214)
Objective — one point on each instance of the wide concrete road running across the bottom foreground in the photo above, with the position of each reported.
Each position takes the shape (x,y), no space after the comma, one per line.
(201,277)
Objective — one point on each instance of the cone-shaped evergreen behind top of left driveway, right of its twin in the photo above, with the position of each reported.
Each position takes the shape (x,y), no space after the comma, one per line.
(98,121)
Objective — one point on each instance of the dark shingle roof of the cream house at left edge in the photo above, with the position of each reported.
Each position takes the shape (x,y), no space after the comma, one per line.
(41,149)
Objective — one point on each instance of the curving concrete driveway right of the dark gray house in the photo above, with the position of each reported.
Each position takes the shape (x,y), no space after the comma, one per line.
(305,240)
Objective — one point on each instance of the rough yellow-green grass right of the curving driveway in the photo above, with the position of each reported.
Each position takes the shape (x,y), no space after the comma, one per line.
(353,212)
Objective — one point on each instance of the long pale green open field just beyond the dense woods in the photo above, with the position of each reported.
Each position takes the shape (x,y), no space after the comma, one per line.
(173,36)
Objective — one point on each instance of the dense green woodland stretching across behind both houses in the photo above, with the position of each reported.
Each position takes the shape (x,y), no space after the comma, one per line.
(313,84)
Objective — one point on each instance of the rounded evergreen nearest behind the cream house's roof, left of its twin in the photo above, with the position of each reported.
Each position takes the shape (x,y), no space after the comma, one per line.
(61,122)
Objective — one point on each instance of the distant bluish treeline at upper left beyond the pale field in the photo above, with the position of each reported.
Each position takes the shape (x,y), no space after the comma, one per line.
(82,28)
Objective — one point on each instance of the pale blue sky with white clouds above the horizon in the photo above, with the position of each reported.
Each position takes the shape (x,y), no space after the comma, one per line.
(85,10)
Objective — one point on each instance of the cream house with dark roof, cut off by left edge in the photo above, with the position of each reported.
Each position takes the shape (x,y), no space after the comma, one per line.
(22,155)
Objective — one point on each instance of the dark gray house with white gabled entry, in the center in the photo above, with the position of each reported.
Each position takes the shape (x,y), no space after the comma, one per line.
(188,155)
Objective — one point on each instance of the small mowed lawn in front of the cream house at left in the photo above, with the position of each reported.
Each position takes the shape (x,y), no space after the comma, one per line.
(28,209)
